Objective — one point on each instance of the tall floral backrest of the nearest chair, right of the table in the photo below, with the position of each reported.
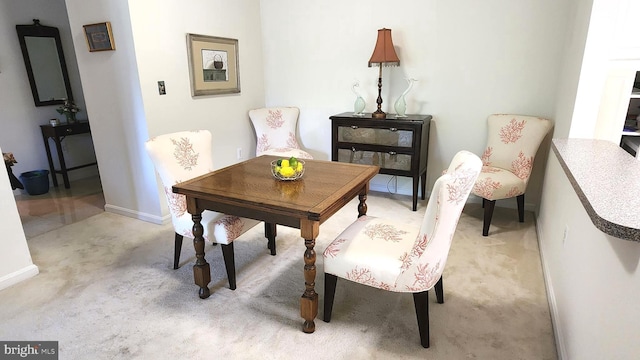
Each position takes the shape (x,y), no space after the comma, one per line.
(422,268)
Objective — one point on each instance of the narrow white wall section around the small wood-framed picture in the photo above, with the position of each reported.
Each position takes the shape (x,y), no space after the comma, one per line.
(114,104)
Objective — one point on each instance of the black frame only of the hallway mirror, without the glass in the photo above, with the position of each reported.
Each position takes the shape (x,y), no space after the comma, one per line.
(37,30)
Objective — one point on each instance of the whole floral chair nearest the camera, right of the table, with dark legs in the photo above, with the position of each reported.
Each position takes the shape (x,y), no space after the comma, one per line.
(385,254)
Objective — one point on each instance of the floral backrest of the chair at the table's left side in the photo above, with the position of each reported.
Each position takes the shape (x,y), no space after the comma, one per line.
(179,157)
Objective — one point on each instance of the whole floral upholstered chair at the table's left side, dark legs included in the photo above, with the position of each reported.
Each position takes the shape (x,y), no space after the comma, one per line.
(182,156)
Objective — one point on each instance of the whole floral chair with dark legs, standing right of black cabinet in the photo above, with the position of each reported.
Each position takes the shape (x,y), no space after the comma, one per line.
(512,143)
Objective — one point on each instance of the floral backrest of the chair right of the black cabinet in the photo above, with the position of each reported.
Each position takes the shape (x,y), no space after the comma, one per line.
(513,141)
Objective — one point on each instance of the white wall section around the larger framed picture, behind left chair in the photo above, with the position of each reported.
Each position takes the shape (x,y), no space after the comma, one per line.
(161,54)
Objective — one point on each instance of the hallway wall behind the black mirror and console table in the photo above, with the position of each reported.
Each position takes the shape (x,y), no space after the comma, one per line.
(19,117)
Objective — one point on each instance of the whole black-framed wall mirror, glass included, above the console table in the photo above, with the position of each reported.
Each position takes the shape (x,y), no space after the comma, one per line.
(44,60)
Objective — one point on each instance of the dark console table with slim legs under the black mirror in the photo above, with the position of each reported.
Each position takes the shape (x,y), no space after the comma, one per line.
(58,133)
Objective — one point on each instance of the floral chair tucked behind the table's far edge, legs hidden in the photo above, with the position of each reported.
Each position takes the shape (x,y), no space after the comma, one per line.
(276,132)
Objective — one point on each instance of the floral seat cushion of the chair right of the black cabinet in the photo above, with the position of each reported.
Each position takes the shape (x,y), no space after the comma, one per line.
(495,183)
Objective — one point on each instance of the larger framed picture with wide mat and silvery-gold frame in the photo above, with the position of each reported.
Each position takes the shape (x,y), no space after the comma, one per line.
(213,65)
